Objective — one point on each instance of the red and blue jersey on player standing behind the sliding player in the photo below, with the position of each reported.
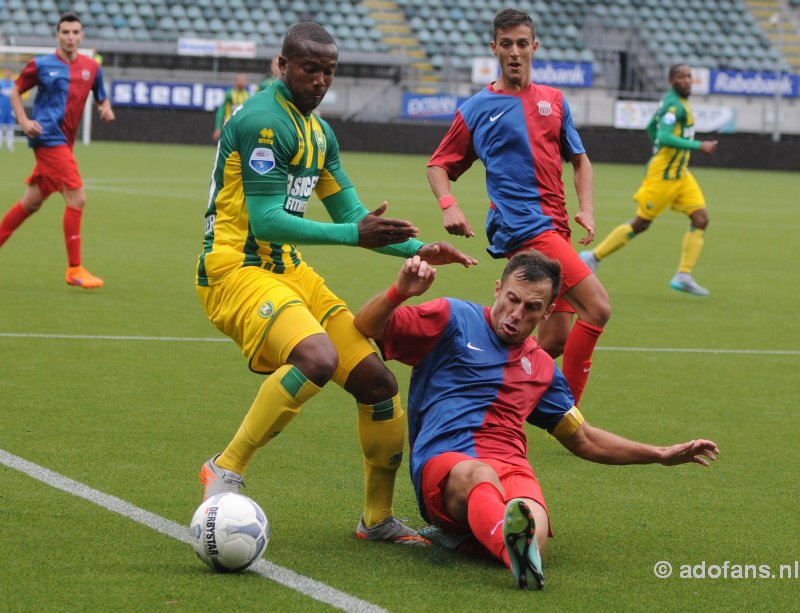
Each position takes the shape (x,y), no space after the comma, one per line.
(521,138)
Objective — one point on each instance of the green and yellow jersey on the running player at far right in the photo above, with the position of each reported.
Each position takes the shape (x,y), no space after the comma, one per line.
(672,131)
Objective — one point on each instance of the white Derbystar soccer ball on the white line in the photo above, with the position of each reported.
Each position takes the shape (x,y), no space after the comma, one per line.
(229,532)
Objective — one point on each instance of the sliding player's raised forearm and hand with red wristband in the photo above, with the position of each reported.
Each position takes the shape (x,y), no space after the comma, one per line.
(414,279)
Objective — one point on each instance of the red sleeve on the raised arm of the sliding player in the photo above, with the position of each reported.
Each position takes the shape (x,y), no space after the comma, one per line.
(413,331)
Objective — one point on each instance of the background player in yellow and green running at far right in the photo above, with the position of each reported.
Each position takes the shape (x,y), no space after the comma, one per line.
(668,182)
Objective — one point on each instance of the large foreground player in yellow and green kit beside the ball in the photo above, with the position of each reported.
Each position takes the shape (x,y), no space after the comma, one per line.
(255,287)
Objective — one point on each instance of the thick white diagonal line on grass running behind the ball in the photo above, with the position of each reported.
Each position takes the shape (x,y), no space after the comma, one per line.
(309,587)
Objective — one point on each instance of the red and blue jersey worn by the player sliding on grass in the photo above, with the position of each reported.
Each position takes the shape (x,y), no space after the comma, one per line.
(470,392)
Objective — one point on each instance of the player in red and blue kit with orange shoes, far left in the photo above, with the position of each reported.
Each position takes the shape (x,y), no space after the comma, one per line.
(64,80)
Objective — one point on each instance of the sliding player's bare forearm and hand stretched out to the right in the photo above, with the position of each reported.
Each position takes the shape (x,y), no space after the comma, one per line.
(604,447)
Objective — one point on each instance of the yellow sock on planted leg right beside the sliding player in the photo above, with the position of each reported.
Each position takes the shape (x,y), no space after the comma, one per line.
(381,432)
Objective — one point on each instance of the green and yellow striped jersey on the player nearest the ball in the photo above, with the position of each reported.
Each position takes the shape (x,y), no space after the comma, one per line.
(270,159)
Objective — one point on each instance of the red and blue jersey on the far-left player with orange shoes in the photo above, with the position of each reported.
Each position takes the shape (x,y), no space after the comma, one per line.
(63,88)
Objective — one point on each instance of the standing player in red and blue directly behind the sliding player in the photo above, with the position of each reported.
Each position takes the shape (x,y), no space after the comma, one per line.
(521,131)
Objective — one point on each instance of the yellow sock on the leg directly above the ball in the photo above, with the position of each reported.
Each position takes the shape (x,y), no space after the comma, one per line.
(276,404)
